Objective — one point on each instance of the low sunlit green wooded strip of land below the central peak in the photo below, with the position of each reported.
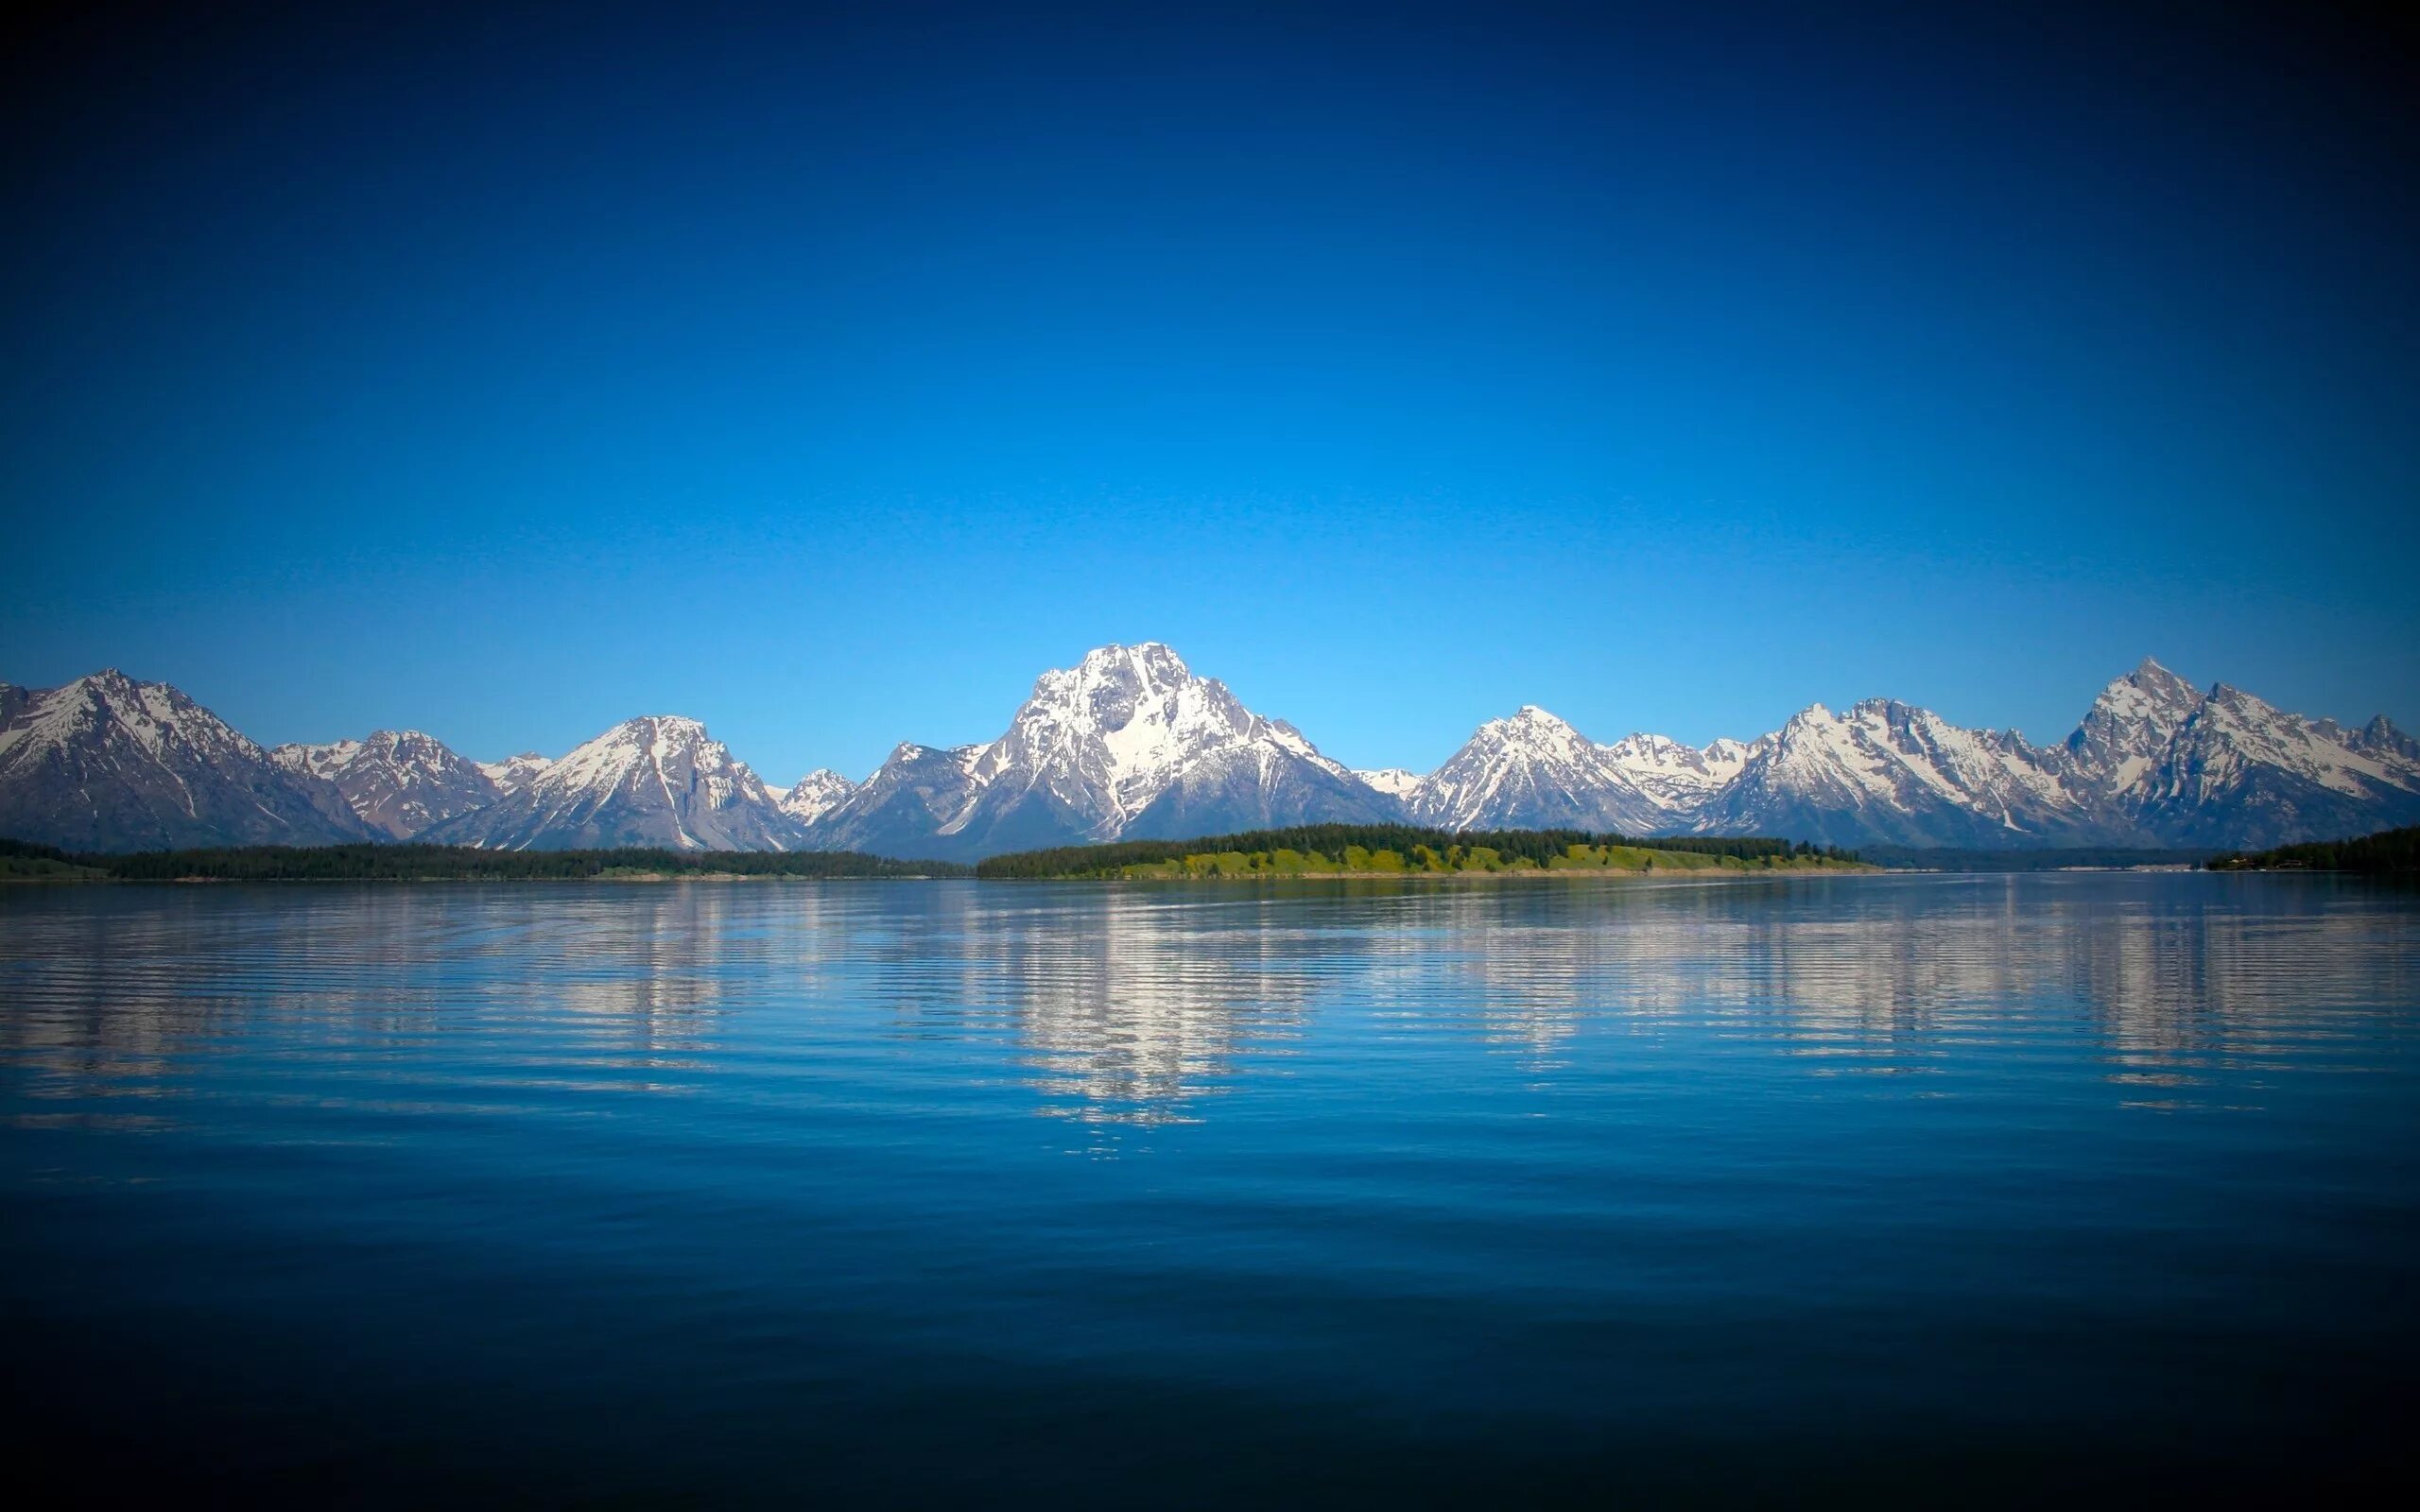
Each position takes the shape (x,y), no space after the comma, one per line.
(1407,850)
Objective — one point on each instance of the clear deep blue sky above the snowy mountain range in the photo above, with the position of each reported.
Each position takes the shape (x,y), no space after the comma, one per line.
(831,376)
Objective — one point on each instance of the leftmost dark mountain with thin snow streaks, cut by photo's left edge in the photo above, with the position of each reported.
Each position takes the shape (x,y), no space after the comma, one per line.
(115,766)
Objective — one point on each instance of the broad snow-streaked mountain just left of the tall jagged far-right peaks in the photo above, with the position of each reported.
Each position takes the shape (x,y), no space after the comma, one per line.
(1903,775)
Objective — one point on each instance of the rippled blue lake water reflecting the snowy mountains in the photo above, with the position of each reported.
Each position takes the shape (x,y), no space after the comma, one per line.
(1226,1194)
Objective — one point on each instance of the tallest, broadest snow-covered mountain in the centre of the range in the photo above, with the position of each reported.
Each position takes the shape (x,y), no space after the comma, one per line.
(1127,744)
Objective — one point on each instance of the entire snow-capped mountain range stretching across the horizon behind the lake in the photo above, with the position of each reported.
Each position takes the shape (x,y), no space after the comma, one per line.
(1131,744)
